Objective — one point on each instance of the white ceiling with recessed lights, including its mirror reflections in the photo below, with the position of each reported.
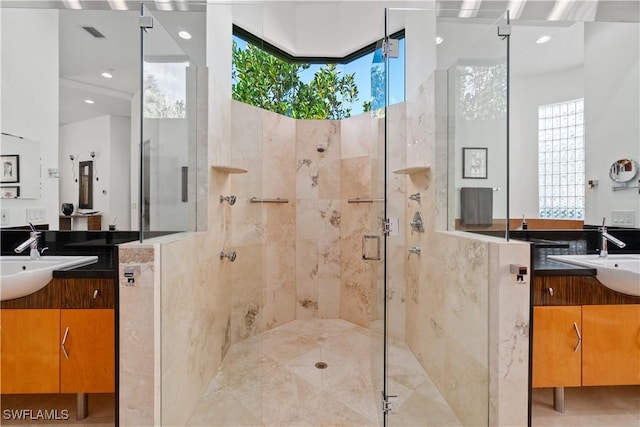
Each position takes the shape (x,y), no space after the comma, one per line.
(328,28)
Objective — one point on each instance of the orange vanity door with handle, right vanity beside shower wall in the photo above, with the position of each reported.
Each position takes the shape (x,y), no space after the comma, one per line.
(556,346)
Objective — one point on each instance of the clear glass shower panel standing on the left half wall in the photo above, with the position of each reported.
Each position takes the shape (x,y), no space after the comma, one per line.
(169,151)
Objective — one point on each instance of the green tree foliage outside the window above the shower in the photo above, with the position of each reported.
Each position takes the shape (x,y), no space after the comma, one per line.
(268,82)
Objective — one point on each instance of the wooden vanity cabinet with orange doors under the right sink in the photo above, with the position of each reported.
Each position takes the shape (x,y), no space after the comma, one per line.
(581,310)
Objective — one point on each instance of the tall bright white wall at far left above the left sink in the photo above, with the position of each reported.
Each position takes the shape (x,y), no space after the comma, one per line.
(29,87)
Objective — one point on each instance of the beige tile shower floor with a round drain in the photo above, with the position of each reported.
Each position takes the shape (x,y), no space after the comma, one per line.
(271,380)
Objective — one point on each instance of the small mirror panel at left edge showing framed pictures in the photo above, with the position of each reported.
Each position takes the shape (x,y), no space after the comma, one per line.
(20,167)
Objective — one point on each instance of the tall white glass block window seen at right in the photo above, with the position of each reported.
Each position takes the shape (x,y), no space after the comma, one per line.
(561,177)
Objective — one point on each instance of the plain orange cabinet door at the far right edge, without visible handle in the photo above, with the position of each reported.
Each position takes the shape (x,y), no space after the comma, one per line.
(611,352)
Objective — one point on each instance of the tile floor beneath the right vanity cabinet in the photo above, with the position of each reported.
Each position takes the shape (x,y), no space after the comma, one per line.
(588,407)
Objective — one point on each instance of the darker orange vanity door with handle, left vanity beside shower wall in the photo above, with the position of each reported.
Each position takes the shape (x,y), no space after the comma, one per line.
(87,358)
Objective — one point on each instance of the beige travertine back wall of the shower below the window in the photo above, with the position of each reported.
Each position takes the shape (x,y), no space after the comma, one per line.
(301,259)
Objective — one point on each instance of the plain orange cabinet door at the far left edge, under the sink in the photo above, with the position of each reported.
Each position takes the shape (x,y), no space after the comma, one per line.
(29,360)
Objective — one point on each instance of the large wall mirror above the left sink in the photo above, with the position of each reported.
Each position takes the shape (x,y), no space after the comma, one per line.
(85,67)
